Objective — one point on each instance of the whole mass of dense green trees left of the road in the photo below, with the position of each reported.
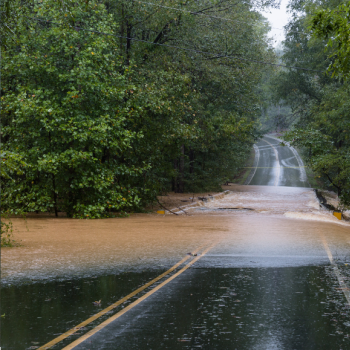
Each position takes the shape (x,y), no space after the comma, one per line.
(107,104)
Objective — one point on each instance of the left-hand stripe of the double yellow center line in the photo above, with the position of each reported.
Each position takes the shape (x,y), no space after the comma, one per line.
(113,306)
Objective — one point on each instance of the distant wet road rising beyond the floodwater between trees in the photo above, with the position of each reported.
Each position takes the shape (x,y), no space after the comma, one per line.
(278,165)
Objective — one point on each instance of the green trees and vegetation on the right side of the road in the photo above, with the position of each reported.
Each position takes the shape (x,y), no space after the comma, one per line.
(318,96)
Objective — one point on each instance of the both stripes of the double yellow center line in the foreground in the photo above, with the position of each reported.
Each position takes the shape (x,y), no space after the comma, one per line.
(121,301)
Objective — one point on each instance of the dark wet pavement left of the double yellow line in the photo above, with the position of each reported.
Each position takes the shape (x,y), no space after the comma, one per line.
(36,312)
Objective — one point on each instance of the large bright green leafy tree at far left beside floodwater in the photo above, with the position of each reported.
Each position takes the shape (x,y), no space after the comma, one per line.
(64,112)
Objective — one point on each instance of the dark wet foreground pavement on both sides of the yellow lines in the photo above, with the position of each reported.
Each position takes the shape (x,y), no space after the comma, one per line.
(208,308)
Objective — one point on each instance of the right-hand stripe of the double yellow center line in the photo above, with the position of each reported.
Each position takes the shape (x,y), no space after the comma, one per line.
(129,307)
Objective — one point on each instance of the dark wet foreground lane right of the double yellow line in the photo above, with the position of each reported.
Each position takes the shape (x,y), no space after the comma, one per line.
(270,308)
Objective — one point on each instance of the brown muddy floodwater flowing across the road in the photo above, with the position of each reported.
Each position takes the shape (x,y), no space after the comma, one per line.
(54,247)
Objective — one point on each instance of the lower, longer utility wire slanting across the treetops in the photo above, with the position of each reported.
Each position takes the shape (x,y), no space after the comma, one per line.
(215,56)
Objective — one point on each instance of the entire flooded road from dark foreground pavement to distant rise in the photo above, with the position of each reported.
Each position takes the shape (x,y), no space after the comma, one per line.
(261,268)
